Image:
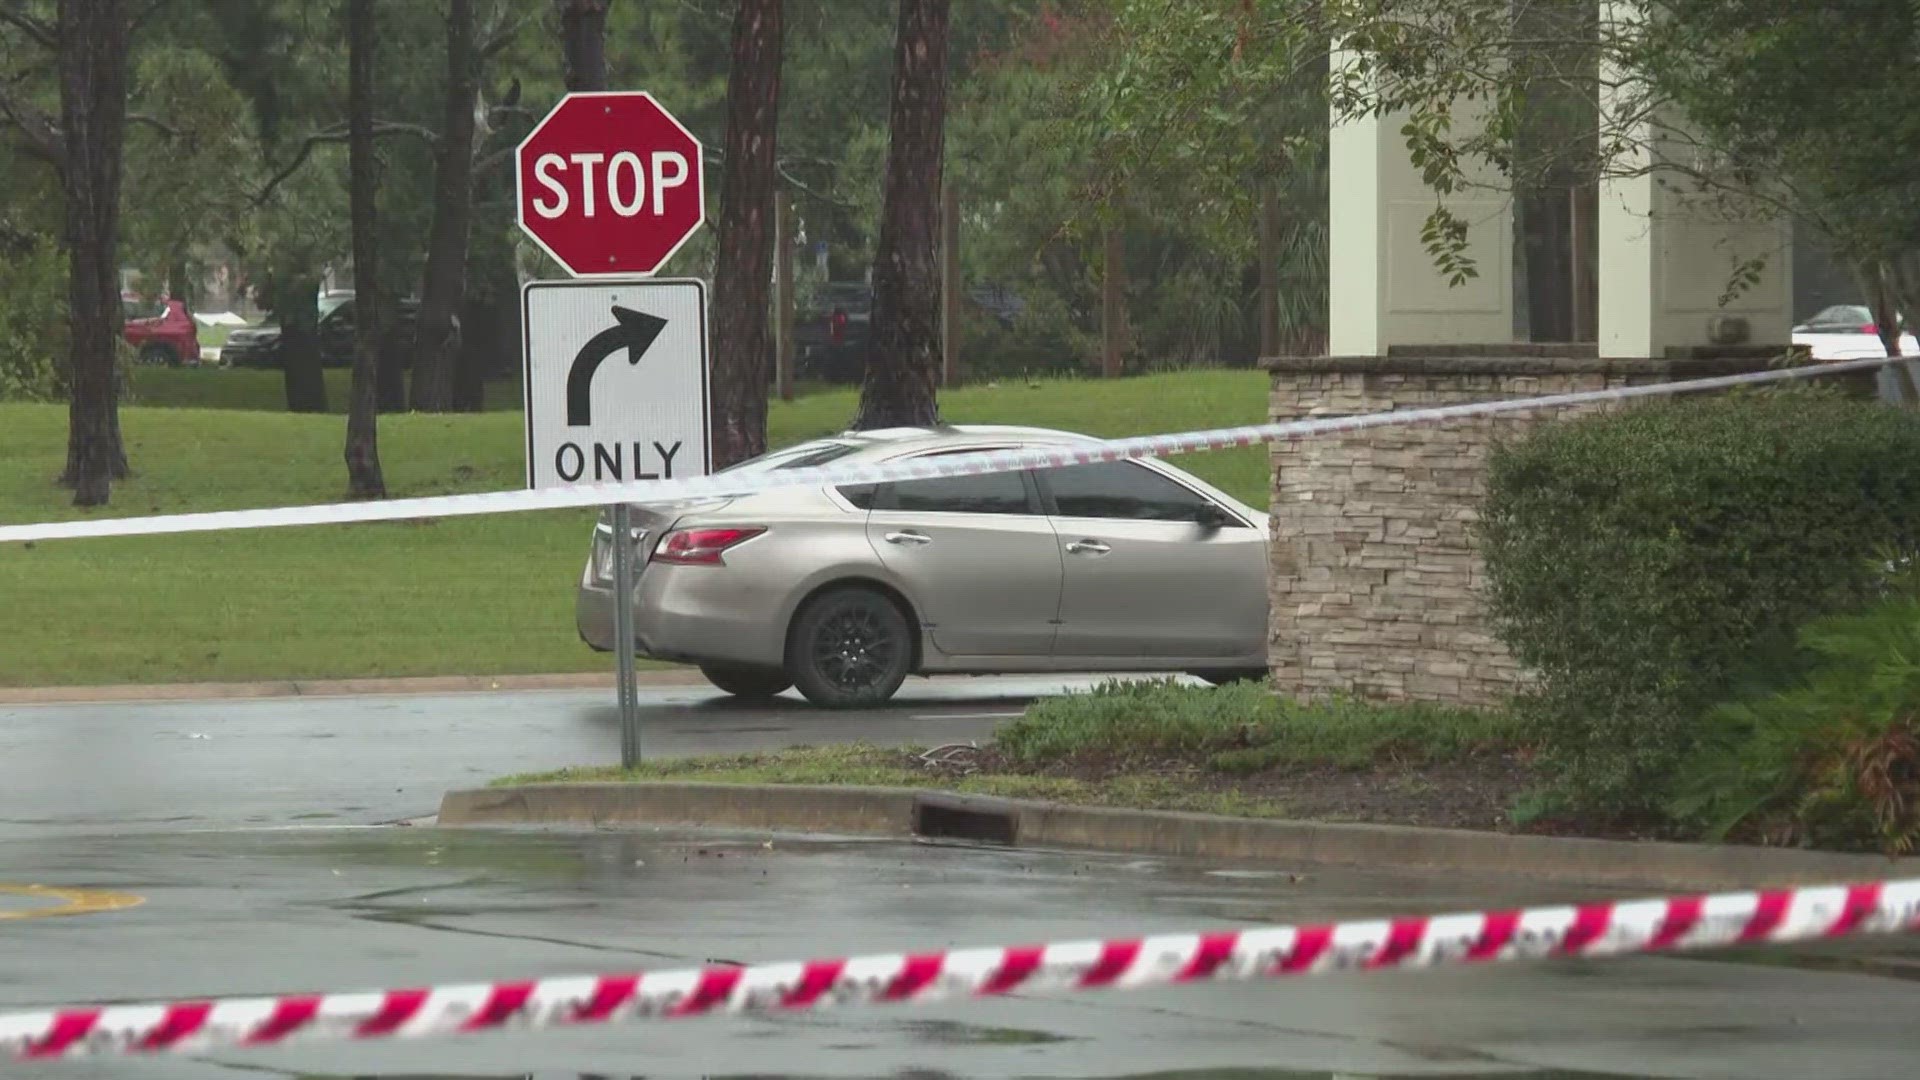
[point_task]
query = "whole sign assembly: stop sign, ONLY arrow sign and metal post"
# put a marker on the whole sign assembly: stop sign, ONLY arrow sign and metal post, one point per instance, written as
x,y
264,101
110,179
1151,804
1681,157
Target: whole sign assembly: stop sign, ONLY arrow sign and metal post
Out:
x,y
650,426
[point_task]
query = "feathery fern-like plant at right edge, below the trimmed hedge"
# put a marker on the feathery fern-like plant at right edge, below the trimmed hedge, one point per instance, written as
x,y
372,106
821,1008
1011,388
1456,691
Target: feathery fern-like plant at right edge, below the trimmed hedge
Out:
x,y
1831,762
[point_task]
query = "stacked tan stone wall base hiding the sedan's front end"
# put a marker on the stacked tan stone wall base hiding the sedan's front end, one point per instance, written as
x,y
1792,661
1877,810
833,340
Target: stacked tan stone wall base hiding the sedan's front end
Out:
x,y
1378,577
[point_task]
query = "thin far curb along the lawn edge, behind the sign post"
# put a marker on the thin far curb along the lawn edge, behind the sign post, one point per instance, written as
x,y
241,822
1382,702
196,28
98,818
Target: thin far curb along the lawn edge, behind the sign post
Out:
x,y
331,687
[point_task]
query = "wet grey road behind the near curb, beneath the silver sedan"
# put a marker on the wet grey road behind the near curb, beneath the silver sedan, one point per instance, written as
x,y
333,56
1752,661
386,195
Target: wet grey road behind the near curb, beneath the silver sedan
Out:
x,y
183,766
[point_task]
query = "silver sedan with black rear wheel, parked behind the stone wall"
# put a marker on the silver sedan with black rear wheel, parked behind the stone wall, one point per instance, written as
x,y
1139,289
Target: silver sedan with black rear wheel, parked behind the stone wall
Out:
x,y
844,593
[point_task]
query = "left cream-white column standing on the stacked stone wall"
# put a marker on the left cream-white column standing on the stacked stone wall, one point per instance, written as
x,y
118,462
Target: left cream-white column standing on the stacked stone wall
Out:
x,y
1381,283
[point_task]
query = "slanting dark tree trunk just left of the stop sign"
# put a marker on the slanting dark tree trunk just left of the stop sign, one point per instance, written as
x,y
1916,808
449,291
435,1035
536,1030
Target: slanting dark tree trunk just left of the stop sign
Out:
x,y
439,337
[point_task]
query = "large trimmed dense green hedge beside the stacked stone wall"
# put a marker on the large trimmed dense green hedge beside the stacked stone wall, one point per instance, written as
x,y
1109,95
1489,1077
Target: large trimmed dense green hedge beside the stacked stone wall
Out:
x,y
1644,562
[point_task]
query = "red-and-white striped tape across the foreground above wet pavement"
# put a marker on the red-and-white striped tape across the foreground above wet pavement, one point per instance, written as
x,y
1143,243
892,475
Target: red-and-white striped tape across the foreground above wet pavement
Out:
x,y
1489,937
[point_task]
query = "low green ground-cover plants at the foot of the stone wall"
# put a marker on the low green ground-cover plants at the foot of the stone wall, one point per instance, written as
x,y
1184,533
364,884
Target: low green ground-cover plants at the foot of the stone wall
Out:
x,y
1245,729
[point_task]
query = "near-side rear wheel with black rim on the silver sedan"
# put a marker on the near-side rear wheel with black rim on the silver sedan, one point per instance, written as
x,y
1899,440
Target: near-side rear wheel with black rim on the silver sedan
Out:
x,y
850,649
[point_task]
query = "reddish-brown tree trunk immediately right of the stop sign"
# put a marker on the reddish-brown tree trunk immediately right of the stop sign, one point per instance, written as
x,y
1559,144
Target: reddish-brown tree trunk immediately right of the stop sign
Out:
x,y
746,262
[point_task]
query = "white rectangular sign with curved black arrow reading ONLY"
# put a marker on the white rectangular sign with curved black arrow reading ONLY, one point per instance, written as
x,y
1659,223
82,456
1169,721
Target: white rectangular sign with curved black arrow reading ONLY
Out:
x,y
615,381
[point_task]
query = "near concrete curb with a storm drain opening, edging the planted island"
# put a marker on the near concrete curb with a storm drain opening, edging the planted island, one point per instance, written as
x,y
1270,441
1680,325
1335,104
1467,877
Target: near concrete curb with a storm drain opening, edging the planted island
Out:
x,y
1022,823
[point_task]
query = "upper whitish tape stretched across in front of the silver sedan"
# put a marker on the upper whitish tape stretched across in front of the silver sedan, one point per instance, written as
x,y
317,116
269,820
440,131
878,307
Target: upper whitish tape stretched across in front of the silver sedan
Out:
x,y
727,485
